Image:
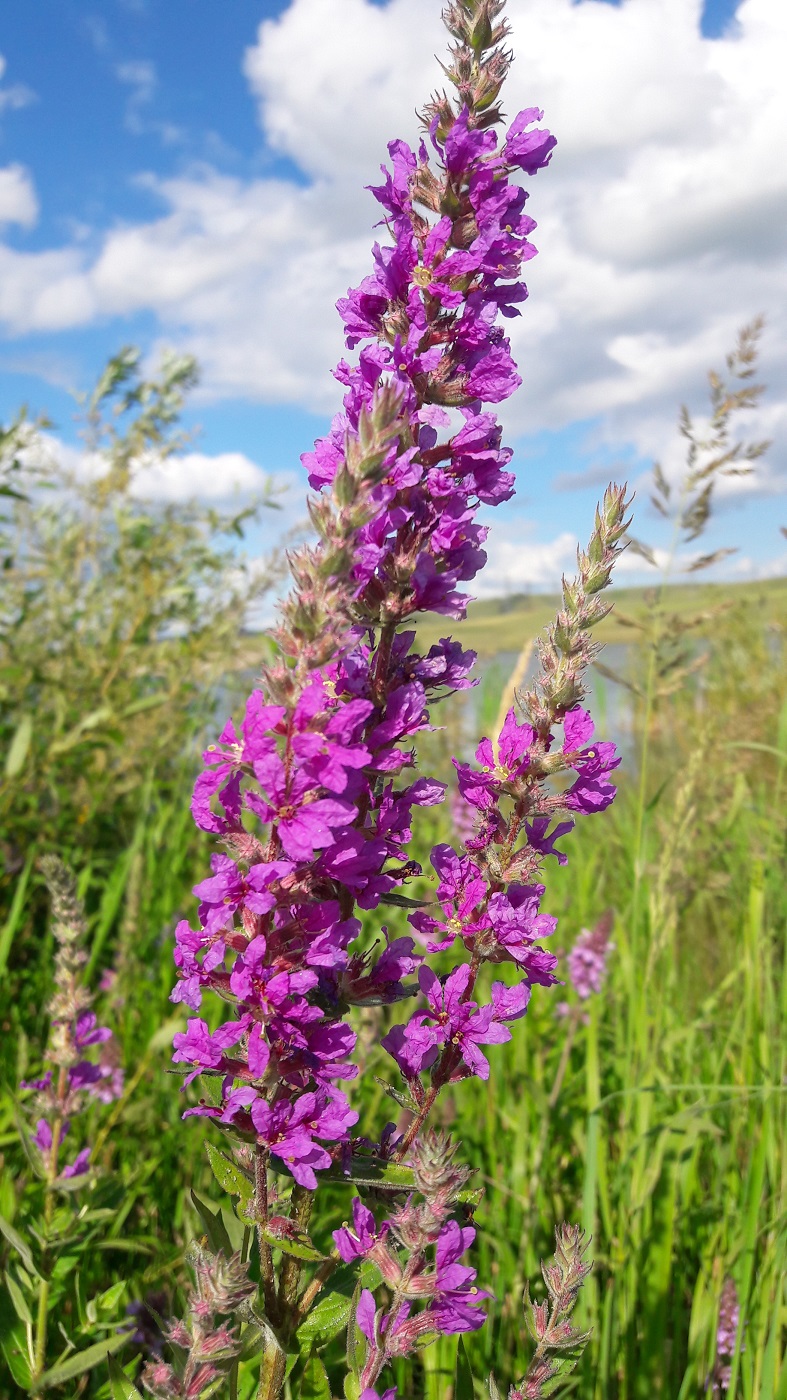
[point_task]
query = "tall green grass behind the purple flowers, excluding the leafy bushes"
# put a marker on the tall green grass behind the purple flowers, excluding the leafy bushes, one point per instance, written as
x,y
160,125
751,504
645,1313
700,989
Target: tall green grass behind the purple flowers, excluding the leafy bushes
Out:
x,y
667,1139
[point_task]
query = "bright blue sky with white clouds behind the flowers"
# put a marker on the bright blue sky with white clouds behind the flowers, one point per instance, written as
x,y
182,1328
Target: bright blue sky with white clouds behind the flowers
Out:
x,y
191,173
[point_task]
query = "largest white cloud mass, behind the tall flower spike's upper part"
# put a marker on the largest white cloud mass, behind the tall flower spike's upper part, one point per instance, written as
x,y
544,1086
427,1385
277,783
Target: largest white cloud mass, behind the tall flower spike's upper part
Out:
x,y
662,218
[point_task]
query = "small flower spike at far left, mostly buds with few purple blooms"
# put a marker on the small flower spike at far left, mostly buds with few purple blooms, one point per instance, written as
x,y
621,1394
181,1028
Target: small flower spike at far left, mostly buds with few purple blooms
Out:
x,y
74,1077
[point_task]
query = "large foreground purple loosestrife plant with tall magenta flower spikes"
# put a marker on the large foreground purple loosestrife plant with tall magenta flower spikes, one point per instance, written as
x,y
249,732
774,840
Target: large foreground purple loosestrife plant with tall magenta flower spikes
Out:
x,y
313,796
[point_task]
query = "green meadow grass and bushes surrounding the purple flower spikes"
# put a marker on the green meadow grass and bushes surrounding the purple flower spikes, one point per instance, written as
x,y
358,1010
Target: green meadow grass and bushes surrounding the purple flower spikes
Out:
x,y
652,1114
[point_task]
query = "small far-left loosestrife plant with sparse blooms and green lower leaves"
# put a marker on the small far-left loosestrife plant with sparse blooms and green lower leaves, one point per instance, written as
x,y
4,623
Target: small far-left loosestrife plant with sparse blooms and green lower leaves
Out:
x,y
53,1223
